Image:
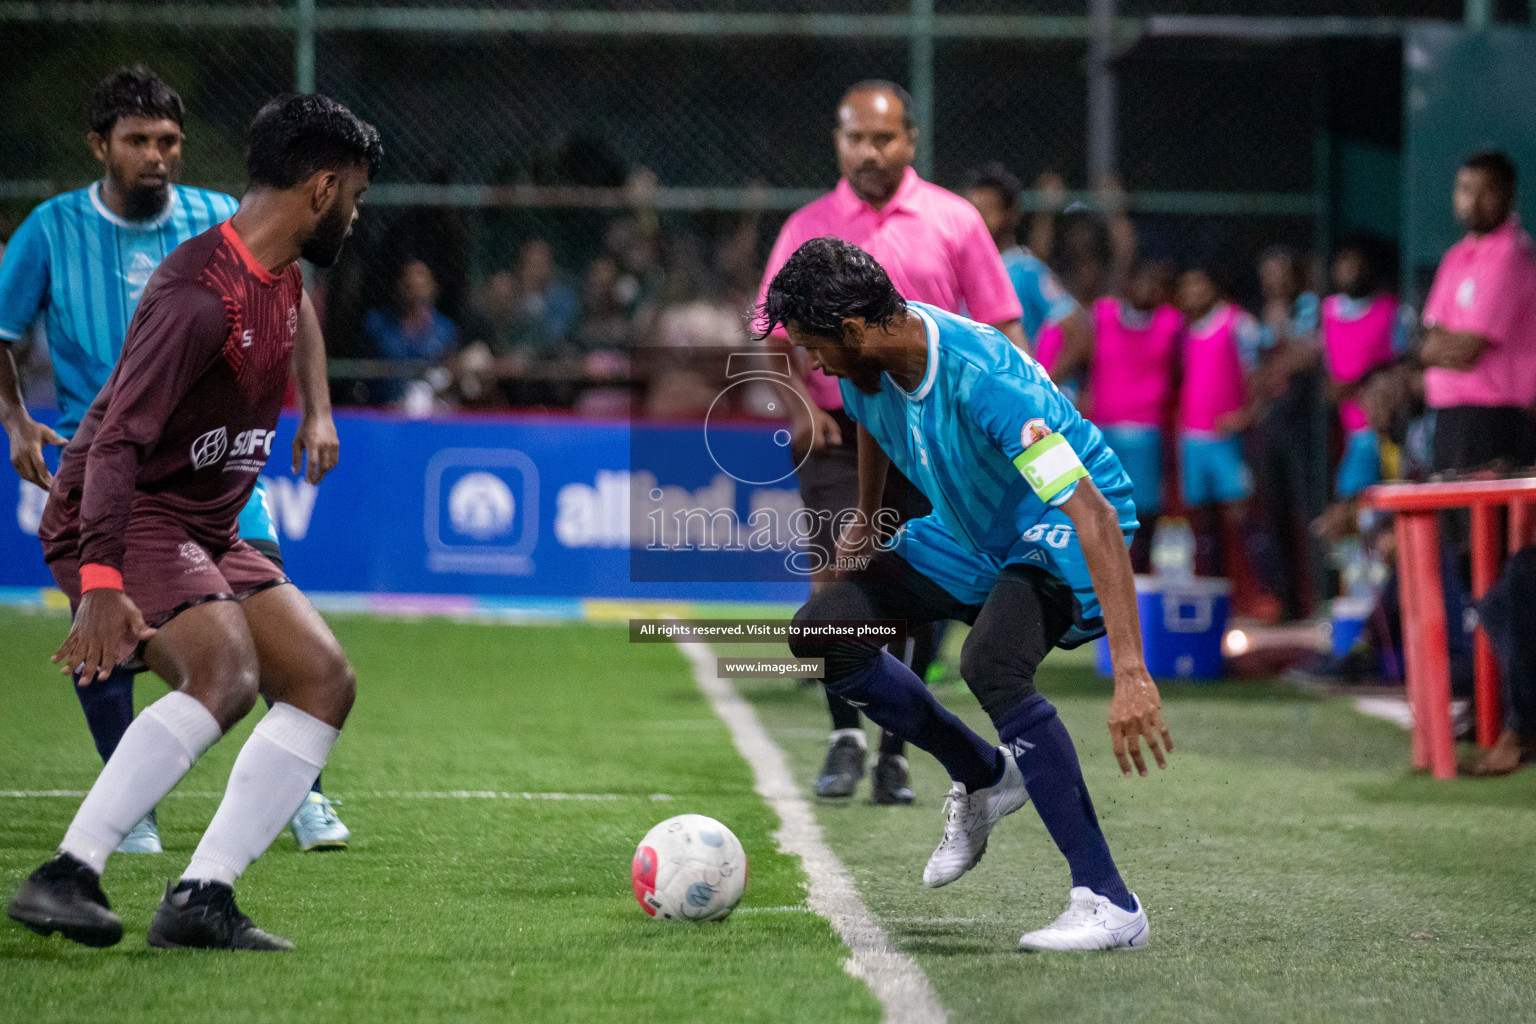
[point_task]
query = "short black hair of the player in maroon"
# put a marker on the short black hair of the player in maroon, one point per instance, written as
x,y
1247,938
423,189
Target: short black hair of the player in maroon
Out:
x,y
294,137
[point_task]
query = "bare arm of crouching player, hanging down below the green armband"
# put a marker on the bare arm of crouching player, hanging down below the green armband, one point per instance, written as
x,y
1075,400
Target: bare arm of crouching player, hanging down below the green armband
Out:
x,y
1136,713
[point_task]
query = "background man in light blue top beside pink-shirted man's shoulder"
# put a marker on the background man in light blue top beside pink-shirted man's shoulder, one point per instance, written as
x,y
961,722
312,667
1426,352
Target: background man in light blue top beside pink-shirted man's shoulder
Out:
x,y
1059,334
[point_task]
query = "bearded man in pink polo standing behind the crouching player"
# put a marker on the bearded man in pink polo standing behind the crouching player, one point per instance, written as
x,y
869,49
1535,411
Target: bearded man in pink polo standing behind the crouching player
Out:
x,y
936,249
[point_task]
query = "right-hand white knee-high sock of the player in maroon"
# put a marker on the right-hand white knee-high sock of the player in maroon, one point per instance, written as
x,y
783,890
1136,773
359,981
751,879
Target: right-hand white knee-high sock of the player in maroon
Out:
x,y
273,775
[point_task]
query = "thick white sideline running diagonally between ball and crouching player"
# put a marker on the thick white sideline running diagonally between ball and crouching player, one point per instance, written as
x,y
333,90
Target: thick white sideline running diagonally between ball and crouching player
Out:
x,y
895,977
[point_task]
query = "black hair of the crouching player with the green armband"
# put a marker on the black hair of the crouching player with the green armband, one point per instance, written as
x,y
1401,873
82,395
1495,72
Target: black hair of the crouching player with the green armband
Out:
x,y
823,285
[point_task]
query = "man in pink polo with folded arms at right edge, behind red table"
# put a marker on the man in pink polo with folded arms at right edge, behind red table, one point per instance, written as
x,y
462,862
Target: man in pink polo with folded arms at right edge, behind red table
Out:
x,y
1480,346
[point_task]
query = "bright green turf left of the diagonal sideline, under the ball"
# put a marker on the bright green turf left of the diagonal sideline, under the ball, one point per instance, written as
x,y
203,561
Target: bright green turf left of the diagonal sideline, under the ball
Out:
x,y
445,910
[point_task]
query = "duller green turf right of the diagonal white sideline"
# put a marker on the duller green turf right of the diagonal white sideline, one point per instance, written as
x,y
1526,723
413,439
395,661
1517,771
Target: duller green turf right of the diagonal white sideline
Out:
x,y
1293,867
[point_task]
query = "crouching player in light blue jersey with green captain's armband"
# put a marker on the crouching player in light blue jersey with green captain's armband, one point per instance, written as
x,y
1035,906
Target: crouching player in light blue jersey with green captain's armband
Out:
x,y
1027,543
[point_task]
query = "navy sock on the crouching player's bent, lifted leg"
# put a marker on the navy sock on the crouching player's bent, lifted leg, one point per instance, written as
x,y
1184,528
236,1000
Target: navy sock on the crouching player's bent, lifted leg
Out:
x,y
893,698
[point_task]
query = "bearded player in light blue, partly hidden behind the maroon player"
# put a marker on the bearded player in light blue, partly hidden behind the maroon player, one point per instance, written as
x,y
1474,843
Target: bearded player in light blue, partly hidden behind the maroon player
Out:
x,y
78,265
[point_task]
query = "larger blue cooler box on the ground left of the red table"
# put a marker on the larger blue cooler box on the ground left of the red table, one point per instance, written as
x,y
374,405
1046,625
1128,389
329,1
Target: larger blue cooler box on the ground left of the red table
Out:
x,y
1183,623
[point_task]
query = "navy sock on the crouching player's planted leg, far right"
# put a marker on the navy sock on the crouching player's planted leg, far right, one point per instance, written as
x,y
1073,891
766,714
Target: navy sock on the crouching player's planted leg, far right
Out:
x,y
1048,761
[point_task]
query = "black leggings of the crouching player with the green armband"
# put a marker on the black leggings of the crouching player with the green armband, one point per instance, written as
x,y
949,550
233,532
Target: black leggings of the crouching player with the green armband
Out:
x,y
1011,632
